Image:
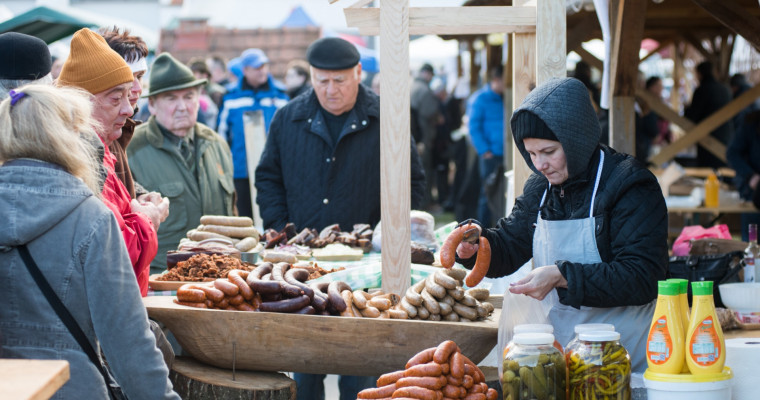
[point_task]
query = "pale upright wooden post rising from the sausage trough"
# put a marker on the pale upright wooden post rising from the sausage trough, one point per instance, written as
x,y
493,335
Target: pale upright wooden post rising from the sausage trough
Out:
x,y
395,181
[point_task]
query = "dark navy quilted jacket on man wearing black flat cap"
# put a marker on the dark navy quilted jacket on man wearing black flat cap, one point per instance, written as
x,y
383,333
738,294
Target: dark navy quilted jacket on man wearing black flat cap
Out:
x,y
305,179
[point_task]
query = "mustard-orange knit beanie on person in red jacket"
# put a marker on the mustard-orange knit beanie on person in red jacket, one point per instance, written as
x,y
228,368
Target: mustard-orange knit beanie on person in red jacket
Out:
x,y
92,65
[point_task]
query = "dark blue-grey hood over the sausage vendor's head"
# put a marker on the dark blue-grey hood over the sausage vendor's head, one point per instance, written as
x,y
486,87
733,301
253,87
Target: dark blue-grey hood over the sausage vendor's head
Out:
x,y
564,105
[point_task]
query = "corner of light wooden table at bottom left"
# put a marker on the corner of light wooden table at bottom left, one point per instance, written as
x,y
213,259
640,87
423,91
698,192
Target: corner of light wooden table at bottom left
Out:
x,y
31,379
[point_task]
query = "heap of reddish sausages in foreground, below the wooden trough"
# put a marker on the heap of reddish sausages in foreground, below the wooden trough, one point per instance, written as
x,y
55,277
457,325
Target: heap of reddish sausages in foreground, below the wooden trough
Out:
x,y
437,373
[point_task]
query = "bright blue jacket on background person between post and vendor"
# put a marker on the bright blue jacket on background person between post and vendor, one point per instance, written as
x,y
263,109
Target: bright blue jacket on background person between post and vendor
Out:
x,y
486,121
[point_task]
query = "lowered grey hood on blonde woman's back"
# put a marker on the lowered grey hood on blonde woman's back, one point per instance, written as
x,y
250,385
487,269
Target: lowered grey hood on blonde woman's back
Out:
x,y
34,197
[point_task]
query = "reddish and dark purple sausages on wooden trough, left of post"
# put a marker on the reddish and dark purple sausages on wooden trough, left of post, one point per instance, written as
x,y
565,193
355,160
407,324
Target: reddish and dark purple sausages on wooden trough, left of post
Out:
x,y
269,287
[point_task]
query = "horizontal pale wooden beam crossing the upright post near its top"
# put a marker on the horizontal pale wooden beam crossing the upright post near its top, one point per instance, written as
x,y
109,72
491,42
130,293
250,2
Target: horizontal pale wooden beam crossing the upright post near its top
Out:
x,y
449,20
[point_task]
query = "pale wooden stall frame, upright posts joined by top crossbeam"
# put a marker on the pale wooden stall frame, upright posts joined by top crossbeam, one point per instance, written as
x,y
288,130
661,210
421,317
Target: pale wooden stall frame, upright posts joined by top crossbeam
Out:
x,y
539,48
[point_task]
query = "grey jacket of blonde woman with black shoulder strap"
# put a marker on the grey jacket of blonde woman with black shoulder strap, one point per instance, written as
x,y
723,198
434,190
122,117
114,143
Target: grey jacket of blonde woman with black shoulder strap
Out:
x,y
76,242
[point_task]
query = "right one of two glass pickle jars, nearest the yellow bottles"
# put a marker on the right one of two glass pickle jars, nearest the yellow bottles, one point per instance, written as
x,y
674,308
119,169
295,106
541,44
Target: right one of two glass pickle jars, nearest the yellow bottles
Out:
x,y
599,367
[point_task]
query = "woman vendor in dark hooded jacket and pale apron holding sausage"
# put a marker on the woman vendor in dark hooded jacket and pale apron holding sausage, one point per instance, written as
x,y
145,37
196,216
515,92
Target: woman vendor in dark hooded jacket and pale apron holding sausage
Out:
x,y
593,220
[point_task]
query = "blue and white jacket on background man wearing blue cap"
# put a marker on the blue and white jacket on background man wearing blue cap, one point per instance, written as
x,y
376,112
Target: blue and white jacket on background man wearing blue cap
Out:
x,y
235,104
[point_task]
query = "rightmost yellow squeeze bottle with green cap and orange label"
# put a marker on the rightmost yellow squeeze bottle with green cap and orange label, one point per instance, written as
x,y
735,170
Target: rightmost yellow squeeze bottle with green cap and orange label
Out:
x,y
705,345
